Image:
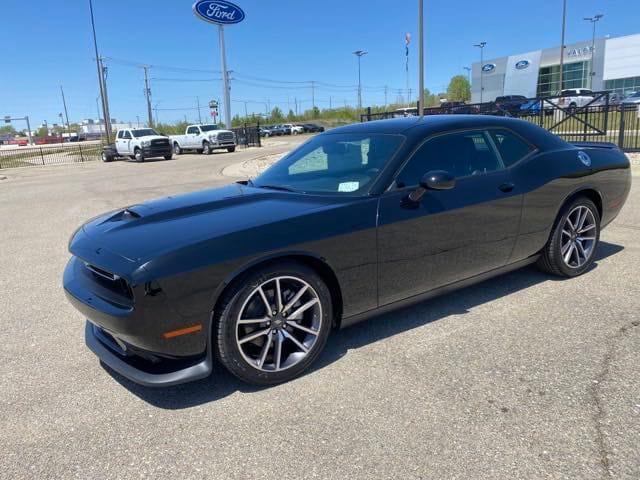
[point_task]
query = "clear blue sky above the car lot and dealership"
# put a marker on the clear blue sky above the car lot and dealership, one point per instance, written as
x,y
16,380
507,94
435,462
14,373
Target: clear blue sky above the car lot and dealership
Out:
x,y
45,44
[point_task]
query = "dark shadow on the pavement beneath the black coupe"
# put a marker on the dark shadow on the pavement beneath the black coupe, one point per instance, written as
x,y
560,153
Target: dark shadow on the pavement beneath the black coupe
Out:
x,y
221,383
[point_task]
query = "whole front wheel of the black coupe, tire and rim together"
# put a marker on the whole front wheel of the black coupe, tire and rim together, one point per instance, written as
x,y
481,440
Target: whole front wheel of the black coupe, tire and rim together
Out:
x,y
273,324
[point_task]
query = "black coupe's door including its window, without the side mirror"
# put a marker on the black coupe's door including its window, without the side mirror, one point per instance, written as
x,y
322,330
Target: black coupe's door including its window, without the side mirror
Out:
x,y
449,235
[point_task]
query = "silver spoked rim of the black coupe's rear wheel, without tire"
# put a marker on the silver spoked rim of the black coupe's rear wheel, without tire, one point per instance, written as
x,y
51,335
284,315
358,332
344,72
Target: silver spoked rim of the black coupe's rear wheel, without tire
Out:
x,y
578,237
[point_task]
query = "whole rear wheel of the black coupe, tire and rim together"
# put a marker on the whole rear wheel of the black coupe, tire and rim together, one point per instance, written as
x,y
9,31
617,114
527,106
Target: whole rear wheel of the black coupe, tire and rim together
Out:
x,y
571,247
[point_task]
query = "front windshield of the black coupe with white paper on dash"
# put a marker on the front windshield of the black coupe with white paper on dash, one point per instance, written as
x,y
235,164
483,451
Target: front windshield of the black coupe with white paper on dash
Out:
x,y
333,163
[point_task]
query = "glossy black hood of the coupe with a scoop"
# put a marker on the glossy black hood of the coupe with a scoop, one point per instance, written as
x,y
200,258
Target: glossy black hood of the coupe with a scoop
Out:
x,y
146,230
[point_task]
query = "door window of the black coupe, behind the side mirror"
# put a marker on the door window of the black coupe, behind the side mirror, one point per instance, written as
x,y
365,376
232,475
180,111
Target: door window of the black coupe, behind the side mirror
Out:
x,y
460,153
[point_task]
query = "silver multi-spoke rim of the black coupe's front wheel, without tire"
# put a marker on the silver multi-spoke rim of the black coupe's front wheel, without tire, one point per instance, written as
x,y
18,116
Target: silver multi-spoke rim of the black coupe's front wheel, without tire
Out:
x,y
279,323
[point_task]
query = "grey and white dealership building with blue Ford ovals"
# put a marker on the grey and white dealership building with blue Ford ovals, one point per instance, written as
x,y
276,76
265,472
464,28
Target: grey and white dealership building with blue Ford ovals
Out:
x,y
615,61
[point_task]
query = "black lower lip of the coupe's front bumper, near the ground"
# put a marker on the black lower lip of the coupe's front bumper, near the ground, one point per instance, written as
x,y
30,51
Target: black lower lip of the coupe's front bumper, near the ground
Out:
x,y
132,367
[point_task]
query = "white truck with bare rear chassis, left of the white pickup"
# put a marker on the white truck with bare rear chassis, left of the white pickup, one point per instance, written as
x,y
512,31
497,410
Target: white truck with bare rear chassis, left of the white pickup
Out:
x,y
142,143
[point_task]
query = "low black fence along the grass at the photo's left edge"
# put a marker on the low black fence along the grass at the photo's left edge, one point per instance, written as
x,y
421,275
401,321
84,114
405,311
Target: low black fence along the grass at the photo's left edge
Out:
x,y
16,156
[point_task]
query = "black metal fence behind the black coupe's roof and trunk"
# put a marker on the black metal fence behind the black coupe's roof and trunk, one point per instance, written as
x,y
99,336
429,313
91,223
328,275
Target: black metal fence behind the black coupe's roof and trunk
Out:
x,y
594,119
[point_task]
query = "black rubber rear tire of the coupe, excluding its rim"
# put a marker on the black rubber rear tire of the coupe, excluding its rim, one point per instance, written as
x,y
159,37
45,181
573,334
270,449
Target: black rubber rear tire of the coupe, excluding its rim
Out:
x,y
551,260
